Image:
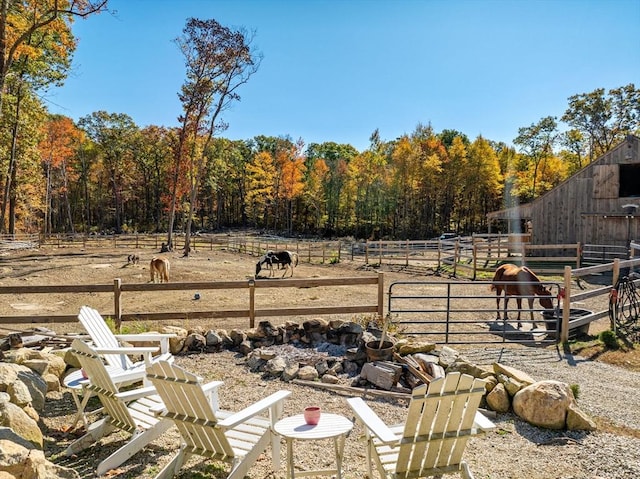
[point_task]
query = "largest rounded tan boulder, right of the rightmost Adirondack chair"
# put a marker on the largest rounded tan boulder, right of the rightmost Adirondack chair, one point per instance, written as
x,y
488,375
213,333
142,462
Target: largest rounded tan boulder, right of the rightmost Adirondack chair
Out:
x,y
544,404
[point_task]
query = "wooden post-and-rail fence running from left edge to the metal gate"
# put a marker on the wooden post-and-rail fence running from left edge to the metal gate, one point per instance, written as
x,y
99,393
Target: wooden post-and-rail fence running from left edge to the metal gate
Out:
x,y
252,311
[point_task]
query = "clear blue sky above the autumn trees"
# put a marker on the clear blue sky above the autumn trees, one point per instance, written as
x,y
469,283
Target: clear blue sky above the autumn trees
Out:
x,y
337,70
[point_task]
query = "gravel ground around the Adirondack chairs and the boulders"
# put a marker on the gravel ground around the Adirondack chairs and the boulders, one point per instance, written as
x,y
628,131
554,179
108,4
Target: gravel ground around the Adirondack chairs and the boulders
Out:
x,y
515,450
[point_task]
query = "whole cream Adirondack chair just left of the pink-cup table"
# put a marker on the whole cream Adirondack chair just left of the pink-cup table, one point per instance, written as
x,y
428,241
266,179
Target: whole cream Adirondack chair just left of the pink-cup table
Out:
x,y
236,438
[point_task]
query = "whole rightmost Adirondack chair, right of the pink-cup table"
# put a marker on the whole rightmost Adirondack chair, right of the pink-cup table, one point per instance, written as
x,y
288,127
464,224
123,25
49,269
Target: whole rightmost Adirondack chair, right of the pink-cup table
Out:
x,y
440,419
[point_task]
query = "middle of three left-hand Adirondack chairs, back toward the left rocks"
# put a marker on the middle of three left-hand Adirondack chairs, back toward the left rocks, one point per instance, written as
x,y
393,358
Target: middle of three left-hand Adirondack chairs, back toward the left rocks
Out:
x,y
127,411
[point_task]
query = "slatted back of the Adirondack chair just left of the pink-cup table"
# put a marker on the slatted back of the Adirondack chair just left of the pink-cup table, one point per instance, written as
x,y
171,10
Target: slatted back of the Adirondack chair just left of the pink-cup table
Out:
x,y
188,406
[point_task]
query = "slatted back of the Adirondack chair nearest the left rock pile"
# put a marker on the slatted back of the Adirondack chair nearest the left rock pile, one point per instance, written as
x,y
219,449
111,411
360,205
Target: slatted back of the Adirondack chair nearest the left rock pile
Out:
x,y
103,386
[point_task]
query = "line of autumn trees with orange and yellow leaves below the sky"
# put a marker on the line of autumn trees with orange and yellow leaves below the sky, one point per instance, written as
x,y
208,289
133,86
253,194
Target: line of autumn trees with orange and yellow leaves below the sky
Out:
x,y
105,173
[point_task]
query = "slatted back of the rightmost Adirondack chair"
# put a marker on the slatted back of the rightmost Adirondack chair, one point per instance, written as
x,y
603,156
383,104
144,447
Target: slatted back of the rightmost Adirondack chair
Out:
x,y
439,422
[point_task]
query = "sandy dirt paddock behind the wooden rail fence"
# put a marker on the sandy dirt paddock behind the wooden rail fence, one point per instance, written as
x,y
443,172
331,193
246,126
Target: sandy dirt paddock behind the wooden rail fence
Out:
x,y
67,266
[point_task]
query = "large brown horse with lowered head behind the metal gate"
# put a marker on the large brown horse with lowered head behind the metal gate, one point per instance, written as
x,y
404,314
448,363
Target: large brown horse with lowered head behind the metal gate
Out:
x,y
524,284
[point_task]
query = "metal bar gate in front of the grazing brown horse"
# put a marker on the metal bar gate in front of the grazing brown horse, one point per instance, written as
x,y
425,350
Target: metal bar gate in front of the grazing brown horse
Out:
x,y
455,312
